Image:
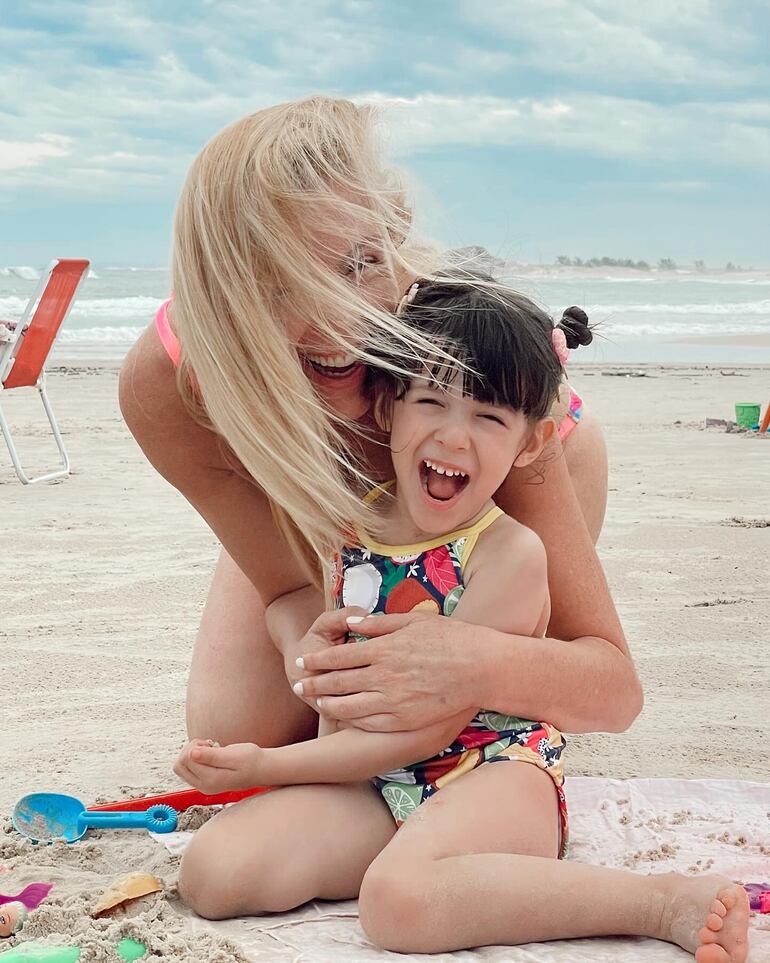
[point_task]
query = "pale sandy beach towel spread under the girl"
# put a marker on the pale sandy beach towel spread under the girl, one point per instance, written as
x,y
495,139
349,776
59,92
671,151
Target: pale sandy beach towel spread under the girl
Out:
x,y
648,825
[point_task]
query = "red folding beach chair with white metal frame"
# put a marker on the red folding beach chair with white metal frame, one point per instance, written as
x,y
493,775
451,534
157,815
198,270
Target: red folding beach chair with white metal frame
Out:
x,y
26,344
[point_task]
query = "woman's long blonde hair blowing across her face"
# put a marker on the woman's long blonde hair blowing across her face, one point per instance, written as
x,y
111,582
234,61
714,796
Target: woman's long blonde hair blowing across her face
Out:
x,y
250,210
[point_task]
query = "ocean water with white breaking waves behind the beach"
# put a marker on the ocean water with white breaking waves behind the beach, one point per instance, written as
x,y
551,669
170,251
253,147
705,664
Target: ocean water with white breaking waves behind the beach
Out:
x,y
641,318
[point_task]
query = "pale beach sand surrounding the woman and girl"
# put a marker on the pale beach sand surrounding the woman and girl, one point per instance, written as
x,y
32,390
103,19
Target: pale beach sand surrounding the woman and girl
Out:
x,y
105,574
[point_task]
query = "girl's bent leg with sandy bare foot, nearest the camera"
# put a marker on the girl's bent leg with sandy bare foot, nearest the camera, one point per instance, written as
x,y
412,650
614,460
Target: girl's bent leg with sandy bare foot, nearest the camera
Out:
x,y
475,865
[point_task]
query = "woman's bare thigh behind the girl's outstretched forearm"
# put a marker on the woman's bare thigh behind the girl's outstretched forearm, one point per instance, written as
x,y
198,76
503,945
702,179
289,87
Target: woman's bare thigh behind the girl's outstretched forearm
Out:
x,y
237,691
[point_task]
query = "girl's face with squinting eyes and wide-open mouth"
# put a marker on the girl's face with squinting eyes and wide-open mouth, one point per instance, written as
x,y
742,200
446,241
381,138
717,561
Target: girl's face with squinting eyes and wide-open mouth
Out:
x,y
451,453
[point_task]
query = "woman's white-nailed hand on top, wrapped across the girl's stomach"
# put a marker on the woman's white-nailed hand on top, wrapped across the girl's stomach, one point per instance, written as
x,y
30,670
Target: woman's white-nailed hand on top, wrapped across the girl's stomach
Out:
x,y
416,670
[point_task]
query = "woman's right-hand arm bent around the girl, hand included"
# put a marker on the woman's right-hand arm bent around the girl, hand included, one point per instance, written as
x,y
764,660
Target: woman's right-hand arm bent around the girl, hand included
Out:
x,y
581,678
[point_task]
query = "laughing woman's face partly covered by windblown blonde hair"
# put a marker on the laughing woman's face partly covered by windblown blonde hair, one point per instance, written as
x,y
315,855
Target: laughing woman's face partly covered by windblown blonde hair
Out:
x,y
365,262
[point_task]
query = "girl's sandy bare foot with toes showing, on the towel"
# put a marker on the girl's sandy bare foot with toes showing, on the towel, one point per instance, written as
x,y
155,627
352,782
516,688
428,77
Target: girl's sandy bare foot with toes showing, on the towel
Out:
x,y
707,915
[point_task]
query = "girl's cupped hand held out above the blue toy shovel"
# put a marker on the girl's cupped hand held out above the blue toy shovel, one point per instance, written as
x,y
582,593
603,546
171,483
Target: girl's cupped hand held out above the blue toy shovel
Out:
x,y
211,768
